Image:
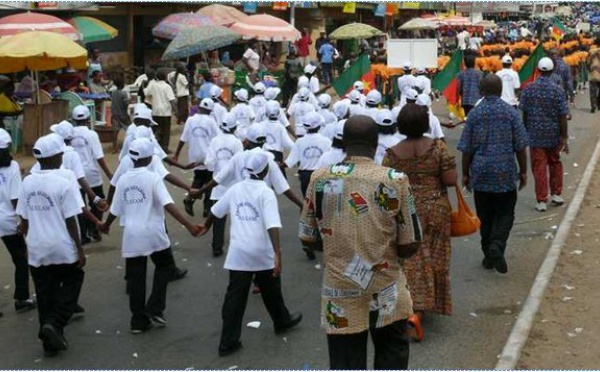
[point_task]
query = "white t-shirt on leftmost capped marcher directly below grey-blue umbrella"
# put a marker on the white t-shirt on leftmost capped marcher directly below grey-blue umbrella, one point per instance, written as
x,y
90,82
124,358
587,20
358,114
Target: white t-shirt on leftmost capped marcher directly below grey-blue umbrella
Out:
x,y
198,131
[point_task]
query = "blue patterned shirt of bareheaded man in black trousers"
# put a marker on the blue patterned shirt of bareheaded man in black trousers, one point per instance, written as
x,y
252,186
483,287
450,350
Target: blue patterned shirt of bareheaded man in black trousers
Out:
x,y
493,134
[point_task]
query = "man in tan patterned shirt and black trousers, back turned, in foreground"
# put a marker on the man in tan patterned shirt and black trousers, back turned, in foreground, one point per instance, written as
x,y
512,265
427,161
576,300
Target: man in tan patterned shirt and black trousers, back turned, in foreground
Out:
x,y
366,216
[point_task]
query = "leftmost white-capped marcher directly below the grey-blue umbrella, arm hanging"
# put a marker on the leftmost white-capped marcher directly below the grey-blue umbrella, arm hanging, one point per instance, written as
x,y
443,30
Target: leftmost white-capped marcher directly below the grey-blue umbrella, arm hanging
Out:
x,y
197,133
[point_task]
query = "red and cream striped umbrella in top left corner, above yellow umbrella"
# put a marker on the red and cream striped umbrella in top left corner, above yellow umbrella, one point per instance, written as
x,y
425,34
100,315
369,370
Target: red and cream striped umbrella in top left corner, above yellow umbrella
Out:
x,y
23,22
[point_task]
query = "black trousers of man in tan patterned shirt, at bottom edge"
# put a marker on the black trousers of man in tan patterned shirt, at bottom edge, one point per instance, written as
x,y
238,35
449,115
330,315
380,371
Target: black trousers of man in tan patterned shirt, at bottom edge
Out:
x,y
392,347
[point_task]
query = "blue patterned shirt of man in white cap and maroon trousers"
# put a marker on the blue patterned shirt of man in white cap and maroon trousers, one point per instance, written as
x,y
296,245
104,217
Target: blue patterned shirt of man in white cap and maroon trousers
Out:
x,y
543,102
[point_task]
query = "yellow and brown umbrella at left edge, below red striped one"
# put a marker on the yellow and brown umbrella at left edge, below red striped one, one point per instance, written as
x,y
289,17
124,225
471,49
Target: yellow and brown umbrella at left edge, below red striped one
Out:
x,y
40,51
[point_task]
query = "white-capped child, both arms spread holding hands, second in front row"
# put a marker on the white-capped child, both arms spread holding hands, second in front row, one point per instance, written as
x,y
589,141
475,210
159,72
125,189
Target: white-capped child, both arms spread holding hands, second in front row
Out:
x,y
141,198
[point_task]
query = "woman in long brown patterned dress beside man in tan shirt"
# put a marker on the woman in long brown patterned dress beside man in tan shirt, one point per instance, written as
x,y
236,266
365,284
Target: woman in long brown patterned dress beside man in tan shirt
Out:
x,y
430,169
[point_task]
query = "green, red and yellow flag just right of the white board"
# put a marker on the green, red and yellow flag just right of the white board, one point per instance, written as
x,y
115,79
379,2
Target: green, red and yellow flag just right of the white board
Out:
x,y
446,82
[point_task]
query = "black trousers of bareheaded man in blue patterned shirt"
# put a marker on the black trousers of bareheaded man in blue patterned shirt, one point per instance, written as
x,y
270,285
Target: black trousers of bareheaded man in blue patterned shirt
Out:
x,y
497,214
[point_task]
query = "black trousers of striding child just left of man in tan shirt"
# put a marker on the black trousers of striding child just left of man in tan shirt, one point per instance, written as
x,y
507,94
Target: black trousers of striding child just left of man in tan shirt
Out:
x,y
236,299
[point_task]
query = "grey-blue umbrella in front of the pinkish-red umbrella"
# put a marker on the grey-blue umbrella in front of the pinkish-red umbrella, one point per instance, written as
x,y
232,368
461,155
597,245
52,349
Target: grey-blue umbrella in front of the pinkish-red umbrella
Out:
x,y
191,41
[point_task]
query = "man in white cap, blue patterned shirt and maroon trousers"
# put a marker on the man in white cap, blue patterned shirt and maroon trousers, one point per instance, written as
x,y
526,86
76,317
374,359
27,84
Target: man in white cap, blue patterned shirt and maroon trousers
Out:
x,y
545,111
